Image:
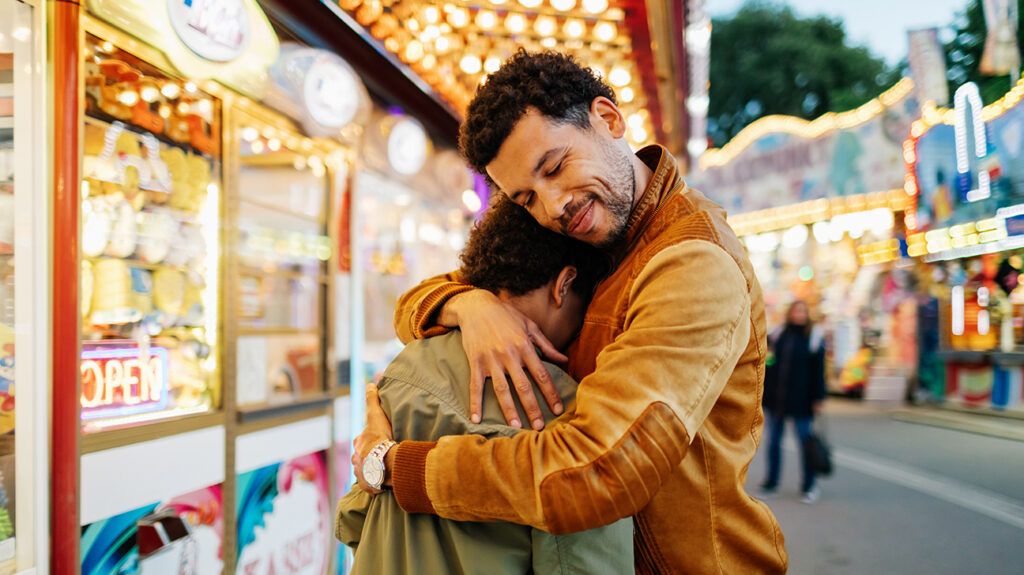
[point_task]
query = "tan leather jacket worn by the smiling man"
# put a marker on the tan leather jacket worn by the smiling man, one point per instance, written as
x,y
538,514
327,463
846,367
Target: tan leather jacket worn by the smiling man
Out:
x,y
668,416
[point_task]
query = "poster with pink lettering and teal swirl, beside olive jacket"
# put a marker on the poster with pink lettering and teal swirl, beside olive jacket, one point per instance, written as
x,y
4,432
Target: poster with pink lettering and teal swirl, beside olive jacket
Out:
x,y
284,518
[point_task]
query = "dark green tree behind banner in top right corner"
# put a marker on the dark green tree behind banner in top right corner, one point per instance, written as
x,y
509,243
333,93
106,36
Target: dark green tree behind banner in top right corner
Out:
x,y
965,50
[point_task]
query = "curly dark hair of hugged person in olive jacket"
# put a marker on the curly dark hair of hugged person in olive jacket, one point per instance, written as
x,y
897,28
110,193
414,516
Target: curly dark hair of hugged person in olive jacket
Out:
x,y
508,250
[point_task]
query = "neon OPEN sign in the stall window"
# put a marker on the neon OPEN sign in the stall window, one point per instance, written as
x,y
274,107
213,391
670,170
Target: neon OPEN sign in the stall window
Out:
x,y
121,382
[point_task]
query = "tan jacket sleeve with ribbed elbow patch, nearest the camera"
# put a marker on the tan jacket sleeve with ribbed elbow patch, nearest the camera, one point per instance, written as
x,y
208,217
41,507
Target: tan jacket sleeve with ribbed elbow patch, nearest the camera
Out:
x,y
688,325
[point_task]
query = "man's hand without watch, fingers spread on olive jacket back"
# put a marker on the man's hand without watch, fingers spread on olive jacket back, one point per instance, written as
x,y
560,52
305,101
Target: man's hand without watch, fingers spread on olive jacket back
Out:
x,y
500,340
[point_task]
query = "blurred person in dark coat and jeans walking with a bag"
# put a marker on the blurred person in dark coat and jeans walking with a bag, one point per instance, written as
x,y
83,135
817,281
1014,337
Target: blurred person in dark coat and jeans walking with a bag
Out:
x,y
795,388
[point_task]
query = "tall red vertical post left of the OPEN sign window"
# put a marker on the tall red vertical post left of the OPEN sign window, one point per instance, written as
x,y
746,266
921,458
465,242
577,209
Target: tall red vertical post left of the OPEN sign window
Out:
x,y
65,533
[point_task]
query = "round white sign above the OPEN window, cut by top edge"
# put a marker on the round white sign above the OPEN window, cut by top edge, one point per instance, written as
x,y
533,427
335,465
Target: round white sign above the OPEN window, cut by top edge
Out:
x,y
217,30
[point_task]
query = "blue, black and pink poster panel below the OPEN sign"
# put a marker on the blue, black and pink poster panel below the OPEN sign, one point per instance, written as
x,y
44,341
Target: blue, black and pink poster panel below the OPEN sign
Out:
x,y
110,547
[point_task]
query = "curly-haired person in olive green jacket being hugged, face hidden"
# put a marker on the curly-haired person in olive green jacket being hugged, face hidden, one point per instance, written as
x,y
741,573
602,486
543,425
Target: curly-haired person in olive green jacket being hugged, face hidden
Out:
x,y
549,279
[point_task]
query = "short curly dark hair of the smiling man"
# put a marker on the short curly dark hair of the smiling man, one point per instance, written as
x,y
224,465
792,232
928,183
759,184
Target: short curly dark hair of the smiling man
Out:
x,y
556,84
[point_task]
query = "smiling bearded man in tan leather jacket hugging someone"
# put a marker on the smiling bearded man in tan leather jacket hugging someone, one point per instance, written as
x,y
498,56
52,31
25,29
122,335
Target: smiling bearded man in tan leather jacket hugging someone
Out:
x,y
670,360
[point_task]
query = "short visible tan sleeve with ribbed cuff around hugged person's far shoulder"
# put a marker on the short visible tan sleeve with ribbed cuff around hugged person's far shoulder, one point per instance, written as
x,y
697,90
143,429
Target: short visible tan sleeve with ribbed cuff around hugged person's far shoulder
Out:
x,y
416,315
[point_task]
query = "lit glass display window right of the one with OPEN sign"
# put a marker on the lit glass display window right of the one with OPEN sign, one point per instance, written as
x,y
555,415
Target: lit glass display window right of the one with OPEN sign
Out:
x,y
282,249
